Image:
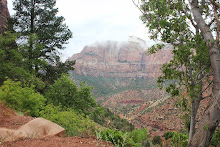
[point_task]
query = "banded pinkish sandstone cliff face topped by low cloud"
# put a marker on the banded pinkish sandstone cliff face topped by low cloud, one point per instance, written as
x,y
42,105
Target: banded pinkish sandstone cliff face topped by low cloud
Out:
x,y
114,59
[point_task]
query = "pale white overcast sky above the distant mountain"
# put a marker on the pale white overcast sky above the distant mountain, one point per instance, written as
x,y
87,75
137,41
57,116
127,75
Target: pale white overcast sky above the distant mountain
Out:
x,y
98,20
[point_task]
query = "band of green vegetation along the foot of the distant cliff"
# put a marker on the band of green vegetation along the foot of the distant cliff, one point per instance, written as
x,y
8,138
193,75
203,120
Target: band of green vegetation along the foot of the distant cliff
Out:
x,y
104,86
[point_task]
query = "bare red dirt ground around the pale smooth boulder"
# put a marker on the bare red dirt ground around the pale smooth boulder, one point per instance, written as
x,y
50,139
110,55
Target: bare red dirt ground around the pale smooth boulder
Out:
x,y
10,119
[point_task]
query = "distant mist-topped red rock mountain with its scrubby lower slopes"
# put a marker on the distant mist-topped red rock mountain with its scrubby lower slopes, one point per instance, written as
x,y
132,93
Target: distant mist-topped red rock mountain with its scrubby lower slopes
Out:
x,y
124,78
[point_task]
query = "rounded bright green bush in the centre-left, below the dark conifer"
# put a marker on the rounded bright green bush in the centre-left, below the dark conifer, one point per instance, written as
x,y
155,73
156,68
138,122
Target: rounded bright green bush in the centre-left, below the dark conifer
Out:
x,y
65,92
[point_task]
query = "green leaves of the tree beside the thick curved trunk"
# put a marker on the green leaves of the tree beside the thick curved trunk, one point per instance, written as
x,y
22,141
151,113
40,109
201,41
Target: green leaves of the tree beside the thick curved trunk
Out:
x,y
190,69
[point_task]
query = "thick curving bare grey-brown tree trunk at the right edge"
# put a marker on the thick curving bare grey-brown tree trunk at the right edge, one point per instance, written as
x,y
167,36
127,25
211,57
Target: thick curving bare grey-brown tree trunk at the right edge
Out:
x,y
211,117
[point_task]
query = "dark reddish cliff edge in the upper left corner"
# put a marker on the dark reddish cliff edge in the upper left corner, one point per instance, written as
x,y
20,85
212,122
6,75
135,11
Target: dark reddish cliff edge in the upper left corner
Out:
x,y
4,13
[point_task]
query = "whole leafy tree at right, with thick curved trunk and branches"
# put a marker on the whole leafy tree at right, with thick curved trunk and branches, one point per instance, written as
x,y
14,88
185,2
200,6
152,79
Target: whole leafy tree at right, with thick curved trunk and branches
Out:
x,y
182,23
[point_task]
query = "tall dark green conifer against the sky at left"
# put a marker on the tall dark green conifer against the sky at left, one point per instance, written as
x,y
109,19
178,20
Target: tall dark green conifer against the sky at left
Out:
x,y
41,32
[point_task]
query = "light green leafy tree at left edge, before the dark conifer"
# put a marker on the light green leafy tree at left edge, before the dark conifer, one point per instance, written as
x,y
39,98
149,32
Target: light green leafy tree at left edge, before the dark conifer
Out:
x,y
12,64
